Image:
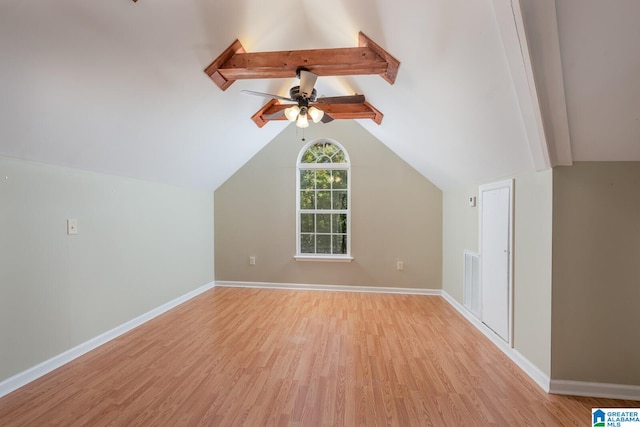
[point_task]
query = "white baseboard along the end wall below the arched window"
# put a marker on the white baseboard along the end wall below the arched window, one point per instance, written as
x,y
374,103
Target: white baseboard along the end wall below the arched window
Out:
x,y
335,288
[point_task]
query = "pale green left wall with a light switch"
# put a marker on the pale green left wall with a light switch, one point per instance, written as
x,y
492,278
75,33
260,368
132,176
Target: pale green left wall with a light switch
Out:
x,y
139,246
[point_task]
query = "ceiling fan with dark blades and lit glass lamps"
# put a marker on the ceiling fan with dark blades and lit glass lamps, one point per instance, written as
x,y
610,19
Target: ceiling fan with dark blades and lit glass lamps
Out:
x,y
305,101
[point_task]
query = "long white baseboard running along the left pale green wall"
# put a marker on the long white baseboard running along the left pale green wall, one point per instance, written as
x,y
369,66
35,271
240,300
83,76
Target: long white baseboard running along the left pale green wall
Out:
x,y
15,382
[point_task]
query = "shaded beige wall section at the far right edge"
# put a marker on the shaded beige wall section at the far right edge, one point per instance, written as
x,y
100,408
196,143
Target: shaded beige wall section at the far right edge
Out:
x,y
596,273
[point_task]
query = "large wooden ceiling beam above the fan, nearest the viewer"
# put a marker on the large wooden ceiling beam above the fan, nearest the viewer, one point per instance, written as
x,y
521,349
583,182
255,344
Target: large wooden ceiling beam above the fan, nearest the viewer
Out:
x,y
368,58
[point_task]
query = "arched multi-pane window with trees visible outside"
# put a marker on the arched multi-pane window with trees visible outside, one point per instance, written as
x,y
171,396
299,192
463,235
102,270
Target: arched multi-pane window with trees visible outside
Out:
x,y
323,201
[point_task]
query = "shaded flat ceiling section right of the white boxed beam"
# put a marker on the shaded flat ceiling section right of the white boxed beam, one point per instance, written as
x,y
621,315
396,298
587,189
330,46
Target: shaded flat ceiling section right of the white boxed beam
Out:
x,y
600,42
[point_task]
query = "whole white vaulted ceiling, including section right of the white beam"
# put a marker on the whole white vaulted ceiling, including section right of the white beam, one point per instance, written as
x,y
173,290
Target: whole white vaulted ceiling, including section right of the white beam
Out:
x,y
118,87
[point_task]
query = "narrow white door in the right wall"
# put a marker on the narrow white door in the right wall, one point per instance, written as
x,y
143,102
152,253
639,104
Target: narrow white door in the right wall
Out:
x,y
495,257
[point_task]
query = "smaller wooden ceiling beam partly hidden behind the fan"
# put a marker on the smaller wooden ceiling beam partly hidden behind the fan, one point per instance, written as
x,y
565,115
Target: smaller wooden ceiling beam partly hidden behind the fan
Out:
x,y
336,111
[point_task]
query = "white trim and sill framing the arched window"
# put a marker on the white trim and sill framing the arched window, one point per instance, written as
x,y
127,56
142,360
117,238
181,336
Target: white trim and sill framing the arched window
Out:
x,y
309,166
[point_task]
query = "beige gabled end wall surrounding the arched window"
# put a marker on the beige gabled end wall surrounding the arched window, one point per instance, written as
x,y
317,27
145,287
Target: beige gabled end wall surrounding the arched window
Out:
x,y
396,216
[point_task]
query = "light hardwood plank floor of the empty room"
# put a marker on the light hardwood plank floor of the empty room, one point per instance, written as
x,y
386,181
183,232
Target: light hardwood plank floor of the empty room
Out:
x,y
255,357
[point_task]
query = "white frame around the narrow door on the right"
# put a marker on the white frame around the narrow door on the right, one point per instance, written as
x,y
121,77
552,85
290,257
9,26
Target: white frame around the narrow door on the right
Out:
x,y
509,184
